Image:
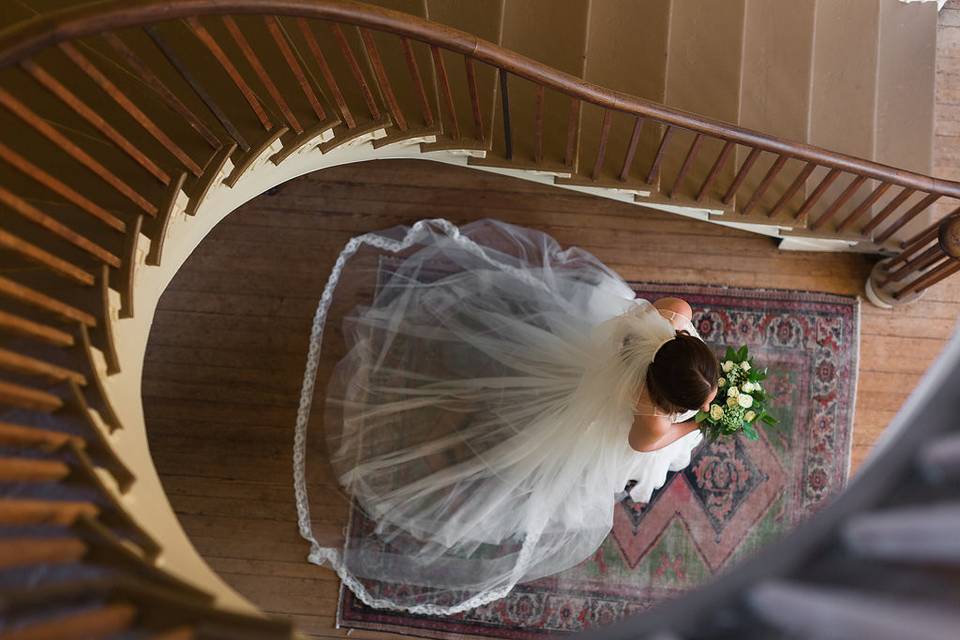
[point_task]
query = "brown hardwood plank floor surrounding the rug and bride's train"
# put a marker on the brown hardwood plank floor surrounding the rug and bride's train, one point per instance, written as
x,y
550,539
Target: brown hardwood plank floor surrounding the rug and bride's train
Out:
x,y
226,355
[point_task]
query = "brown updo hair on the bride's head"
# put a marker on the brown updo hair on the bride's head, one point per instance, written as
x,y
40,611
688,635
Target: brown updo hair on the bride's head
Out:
x,y
683,374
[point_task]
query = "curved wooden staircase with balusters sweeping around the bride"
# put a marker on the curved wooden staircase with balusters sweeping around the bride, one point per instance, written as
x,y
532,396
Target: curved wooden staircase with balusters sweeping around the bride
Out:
x,y
130,129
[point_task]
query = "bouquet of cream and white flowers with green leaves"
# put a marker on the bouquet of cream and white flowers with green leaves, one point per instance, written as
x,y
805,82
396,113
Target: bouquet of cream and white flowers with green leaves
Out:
x,y
741,402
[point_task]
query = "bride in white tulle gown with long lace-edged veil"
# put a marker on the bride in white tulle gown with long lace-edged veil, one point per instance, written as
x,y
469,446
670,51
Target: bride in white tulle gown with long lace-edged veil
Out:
x,y
497,396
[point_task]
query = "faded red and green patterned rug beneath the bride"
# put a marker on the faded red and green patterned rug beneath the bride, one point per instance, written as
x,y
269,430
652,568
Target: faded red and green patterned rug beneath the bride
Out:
x,y
733,498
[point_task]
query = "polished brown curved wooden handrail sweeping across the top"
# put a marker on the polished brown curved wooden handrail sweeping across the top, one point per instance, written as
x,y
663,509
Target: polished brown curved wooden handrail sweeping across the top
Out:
x,y
20,41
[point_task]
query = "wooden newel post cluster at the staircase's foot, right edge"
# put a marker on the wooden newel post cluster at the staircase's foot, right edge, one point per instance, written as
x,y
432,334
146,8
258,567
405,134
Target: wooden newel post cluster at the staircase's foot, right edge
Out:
x,y
903,278
